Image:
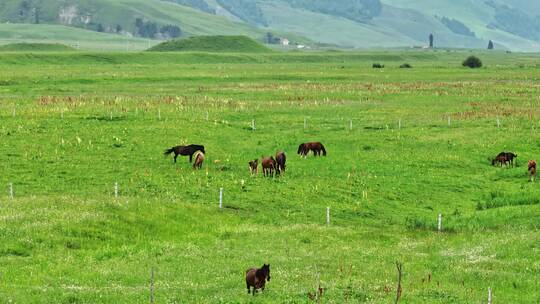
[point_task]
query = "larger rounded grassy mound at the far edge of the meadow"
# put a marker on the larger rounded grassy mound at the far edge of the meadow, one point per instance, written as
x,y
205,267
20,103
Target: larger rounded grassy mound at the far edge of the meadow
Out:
x,y
233,44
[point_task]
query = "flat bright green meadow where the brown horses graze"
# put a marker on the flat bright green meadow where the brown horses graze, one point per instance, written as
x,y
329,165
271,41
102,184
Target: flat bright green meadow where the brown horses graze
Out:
x,y
74,124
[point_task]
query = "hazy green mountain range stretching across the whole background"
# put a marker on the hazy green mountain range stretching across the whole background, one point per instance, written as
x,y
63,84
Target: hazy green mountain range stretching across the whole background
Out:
x,y
511,24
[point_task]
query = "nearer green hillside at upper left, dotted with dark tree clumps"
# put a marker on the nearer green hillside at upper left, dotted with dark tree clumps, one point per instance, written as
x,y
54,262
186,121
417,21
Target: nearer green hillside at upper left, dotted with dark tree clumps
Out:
x,y
120,16
